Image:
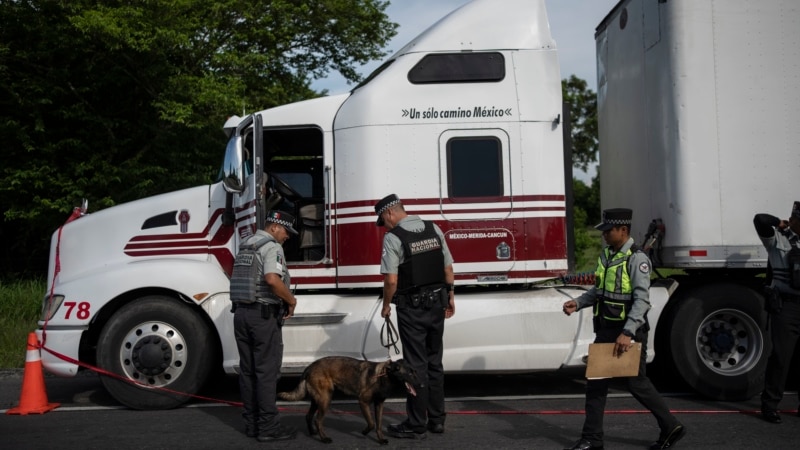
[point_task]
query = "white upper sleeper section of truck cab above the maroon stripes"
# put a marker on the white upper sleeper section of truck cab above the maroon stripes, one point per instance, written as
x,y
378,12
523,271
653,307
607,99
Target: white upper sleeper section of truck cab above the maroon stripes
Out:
x,y
390,127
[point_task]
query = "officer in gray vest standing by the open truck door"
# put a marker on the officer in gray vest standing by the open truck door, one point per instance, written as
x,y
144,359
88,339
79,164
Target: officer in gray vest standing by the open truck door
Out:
x,y
261,301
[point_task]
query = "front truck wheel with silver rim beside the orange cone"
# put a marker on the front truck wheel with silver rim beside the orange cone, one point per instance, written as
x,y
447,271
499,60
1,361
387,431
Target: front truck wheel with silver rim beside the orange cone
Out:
x,y
158,343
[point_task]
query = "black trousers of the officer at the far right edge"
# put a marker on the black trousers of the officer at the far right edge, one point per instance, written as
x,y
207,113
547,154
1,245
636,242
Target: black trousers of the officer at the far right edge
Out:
x,y
784,330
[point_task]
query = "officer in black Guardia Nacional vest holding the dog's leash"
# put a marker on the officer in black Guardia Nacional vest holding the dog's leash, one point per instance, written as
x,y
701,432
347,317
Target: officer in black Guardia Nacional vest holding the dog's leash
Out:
x,y
418,279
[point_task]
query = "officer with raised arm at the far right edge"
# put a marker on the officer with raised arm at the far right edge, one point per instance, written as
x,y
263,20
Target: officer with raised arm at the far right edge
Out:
x,y
780,237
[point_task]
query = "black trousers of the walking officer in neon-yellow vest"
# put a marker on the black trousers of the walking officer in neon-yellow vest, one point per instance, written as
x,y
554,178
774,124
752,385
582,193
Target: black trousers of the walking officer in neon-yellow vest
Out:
x,y
639,386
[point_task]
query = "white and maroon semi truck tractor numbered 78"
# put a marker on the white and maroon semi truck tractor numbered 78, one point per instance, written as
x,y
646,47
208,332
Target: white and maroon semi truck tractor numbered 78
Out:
x,y
464,123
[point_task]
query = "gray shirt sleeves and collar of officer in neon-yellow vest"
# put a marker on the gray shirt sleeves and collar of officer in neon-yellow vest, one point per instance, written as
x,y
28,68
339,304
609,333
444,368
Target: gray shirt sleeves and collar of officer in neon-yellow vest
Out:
x,y
639,266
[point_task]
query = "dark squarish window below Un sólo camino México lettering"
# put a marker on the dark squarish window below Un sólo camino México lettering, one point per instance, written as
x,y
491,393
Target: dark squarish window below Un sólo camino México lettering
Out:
x,y
474,168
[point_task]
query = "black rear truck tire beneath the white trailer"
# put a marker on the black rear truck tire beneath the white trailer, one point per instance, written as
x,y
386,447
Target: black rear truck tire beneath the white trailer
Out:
x,y
718,341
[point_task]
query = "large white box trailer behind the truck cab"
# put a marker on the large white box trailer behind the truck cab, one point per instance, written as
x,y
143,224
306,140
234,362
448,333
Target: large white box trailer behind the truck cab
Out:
x,y
697,103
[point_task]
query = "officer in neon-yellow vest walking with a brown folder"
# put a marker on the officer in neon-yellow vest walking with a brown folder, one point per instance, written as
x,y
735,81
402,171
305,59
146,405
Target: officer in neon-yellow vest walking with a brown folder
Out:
x,y
620,300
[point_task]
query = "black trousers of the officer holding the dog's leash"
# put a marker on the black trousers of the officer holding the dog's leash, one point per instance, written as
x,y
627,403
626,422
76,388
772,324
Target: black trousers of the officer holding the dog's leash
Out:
x,y
421,333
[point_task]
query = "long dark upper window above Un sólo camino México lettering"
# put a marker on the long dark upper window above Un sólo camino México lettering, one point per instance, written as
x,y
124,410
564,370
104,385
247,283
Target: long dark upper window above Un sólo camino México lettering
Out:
x,y
459,68
